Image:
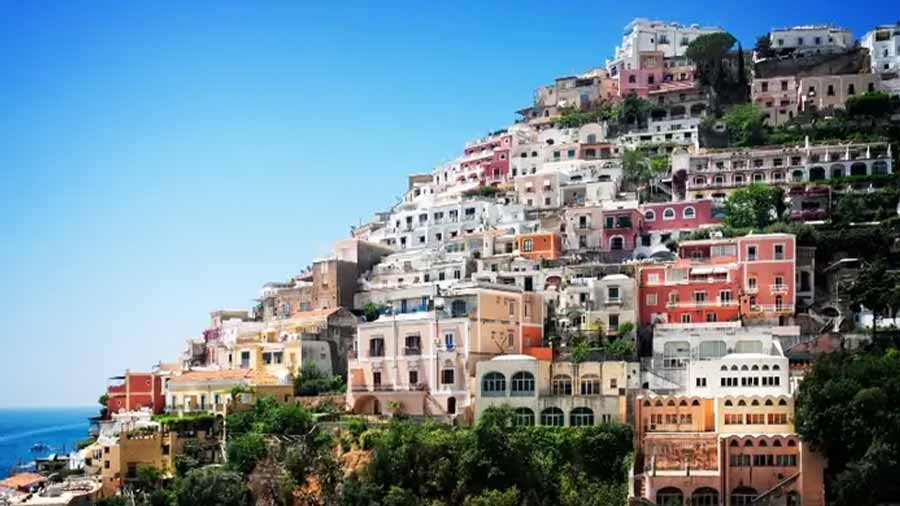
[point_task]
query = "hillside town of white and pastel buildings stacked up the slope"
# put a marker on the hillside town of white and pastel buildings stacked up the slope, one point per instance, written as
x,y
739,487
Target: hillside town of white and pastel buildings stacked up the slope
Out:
x,y
669,241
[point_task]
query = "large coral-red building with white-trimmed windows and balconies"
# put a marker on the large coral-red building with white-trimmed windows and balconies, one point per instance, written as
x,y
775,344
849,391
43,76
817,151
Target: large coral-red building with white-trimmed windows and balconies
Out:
x,y
721,280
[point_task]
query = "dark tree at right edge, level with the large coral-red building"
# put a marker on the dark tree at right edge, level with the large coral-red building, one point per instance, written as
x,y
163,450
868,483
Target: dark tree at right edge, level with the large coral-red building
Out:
x,y
877,290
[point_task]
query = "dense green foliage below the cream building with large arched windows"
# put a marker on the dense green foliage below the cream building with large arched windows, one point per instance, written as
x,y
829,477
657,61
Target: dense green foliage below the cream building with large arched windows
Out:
x,y
493,463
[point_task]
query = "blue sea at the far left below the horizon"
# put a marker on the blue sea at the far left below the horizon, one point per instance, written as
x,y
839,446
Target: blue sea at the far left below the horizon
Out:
x,y
57,428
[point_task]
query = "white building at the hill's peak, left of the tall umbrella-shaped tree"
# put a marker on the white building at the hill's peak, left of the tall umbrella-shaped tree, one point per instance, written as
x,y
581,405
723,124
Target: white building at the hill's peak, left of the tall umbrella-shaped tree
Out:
x,y
642,34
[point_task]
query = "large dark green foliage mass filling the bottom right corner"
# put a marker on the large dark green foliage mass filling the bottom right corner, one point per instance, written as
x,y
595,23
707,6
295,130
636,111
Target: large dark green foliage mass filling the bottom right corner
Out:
x,y
848,407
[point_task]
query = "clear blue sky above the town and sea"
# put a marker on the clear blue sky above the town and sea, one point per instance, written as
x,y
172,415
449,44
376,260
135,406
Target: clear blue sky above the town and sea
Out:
x,y
163,159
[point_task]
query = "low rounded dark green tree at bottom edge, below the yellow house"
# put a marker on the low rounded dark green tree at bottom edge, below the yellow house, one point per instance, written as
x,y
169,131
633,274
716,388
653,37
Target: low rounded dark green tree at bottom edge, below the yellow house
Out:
x,y
211,486
